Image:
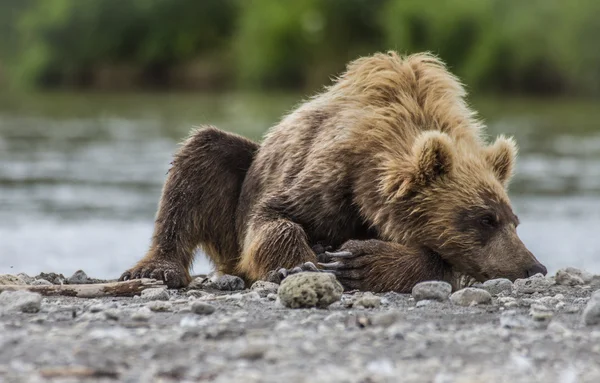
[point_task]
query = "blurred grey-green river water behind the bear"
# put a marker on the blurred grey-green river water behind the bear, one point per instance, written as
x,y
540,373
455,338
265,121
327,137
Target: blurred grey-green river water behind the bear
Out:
x,y
81,174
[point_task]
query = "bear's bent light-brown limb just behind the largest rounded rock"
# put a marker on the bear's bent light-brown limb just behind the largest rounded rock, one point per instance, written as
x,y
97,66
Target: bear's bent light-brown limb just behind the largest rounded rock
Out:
x,y
271,245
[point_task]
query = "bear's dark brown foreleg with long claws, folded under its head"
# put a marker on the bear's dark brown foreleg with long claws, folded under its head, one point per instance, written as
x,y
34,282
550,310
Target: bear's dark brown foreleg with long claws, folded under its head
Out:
x,y
380,266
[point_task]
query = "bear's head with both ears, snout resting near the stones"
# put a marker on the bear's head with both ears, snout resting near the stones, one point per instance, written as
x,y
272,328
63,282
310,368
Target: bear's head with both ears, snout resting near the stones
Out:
x,y
451,199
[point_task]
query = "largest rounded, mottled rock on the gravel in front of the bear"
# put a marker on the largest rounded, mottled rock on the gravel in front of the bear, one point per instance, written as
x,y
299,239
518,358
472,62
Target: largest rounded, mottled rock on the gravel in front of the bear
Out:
x,y
309,289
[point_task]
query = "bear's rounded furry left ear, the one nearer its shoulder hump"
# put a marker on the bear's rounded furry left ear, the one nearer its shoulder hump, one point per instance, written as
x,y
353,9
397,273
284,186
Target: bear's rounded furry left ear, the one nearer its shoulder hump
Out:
x,y
433,156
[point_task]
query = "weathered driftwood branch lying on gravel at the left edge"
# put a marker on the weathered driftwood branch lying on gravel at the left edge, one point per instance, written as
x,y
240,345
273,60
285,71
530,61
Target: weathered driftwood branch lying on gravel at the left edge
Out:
x,y
111,289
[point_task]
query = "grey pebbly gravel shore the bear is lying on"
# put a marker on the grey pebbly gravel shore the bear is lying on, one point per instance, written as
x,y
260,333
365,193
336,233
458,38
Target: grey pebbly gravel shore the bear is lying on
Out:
x,y
543,329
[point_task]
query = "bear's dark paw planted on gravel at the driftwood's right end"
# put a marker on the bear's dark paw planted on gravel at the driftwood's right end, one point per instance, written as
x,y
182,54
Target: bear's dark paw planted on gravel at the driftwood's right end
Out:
x,y
171,273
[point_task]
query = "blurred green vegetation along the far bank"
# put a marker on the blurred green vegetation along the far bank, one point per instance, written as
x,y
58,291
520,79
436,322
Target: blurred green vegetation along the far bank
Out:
x,y
501,46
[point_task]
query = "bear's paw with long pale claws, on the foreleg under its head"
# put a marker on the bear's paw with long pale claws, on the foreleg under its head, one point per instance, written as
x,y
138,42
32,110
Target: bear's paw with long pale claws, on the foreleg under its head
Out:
x,y
350,268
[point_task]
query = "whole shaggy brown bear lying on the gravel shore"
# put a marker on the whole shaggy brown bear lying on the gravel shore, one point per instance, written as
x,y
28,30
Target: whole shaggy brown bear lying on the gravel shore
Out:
x,y
387,166
